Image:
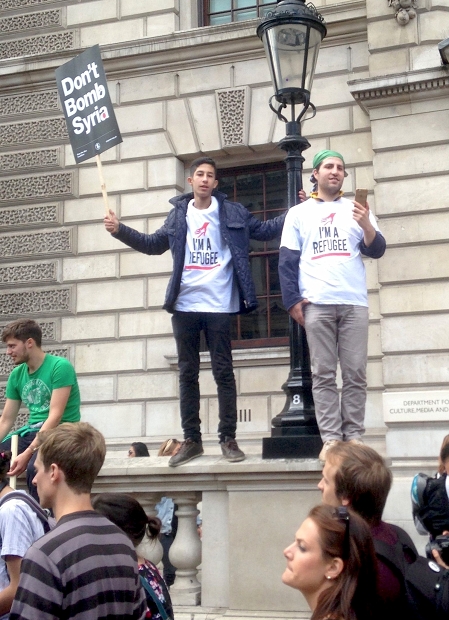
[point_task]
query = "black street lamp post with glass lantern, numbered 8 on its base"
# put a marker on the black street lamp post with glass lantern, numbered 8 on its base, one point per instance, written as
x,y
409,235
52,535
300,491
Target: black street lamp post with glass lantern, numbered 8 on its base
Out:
x,y
292,34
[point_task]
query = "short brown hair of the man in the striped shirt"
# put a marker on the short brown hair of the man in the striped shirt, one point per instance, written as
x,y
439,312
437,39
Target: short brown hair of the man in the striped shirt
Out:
x,y
78,449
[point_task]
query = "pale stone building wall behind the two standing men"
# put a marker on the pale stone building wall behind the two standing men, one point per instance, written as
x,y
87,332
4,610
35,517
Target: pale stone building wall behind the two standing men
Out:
x,y
181,90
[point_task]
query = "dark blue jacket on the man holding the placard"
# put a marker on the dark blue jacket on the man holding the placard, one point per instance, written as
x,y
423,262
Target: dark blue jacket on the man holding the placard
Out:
x,y
237,226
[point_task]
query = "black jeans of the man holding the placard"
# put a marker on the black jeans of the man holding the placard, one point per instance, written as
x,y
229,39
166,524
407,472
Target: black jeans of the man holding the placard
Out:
x,y
187,327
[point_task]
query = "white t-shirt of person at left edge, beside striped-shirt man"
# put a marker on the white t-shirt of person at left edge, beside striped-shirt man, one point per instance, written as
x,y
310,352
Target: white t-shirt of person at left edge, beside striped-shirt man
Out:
x,y
20,527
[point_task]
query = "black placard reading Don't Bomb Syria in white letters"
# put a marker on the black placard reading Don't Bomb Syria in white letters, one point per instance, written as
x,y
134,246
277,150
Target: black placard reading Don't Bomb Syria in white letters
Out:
x,y
87,106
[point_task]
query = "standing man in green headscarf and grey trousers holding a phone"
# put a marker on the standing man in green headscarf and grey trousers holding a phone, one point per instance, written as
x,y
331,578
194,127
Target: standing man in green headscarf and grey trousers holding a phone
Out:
x,y
324,289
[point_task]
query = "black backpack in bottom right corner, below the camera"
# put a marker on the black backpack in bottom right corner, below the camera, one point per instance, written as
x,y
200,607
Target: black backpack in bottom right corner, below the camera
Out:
x,y
425,584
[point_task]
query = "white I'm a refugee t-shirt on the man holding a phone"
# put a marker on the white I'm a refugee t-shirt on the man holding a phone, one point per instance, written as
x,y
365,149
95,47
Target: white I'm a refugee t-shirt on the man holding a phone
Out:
x,y
331,266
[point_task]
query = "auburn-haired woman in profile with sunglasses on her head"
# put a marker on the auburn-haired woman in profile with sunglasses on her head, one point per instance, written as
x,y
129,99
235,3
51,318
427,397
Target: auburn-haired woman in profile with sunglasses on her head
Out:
x,y
333,564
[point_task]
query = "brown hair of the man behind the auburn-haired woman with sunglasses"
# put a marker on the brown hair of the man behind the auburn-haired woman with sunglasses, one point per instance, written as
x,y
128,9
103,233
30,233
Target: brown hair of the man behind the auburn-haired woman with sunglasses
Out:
x,y
362,478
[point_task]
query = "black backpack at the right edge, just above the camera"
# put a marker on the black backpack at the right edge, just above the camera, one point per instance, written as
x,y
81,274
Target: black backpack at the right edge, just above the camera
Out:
x,y
430,503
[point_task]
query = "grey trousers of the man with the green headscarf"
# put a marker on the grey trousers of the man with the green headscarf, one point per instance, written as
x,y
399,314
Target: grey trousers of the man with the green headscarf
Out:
x,y
338,332
